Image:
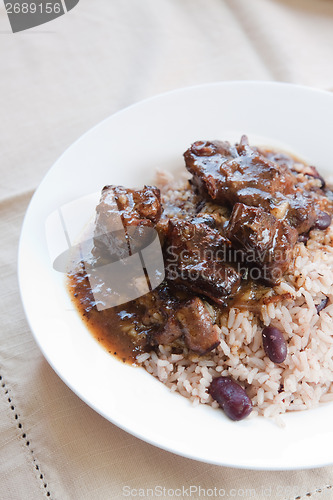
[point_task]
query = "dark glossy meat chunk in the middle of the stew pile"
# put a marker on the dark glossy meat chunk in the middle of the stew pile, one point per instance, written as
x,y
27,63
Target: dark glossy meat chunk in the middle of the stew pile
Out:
x,y
194,257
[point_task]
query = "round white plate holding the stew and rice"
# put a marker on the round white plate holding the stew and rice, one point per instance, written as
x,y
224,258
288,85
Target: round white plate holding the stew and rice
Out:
x,y
126,148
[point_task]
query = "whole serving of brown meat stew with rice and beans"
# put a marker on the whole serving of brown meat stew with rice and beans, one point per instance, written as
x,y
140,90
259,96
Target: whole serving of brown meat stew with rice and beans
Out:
x,y
243,317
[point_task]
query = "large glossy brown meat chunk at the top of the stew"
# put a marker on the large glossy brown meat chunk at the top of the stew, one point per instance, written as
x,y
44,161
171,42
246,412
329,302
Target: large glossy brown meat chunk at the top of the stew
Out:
x,y
228,174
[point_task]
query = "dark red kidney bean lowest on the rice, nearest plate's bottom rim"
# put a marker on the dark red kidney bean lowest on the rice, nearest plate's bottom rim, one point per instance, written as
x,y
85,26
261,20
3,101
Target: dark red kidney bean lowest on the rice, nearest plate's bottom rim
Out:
x,y
231,397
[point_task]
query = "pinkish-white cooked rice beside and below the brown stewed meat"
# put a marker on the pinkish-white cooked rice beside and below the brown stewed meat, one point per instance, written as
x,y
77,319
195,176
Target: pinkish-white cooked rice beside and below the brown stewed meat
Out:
x,y
305,378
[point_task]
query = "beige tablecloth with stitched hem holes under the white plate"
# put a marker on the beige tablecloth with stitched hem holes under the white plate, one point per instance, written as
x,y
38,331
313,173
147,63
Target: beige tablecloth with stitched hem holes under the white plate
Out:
x,y
56,82
